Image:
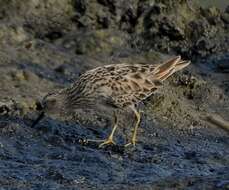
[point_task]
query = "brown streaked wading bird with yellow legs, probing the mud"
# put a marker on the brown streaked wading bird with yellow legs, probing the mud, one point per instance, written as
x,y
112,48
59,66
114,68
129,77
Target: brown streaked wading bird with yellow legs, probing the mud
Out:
x,y
117,86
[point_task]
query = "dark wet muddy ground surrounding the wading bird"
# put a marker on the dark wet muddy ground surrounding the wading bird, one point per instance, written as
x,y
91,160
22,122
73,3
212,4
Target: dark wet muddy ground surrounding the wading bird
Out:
x,y
45,45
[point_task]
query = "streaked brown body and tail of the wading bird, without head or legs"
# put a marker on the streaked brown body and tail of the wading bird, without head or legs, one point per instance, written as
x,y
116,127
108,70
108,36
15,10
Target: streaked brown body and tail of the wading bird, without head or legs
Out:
x,y
123,84
